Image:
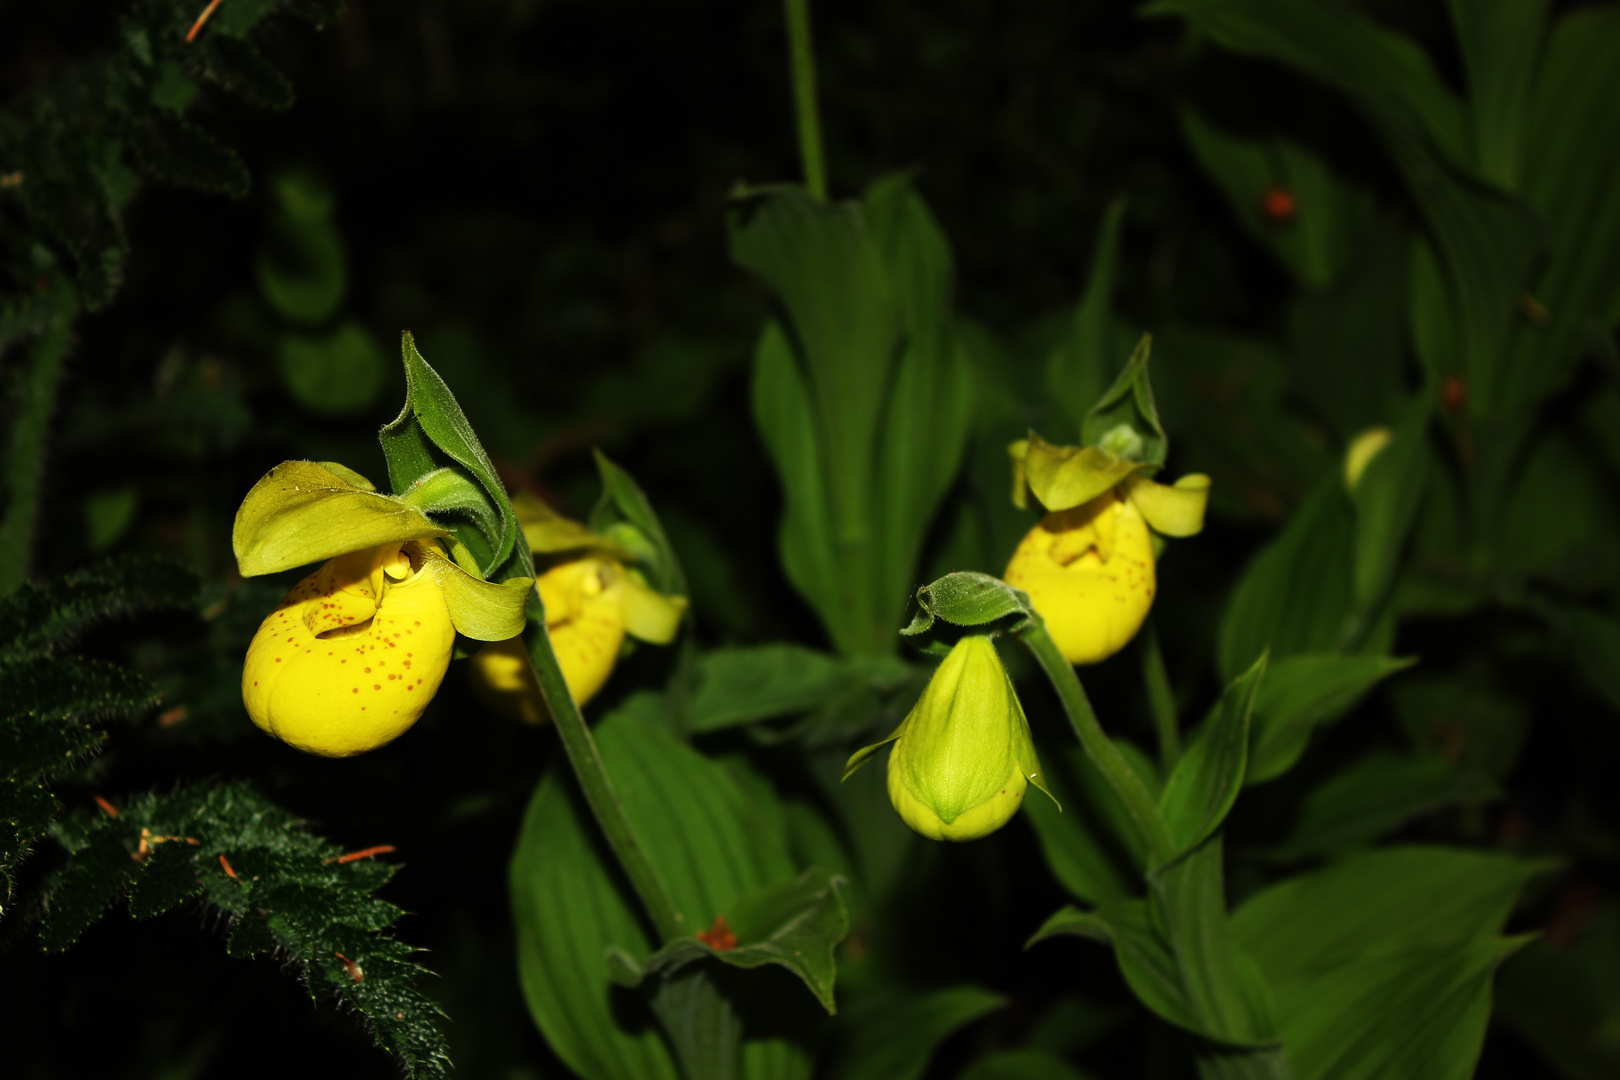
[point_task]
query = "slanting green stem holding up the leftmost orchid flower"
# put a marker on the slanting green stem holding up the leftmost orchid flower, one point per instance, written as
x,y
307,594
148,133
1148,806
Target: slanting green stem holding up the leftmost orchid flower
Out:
x,y
594,781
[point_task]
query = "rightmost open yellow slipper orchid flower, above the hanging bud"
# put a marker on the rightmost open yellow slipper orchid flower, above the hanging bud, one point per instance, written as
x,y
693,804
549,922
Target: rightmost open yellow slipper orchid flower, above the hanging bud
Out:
x,y
1089,564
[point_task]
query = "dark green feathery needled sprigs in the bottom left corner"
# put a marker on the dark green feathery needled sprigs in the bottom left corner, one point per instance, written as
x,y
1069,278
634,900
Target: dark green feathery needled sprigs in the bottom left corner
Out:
x,y
286,891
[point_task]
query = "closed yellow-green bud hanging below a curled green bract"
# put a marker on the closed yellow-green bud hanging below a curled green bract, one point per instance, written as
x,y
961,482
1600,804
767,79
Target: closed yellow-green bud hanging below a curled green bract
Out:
x,y
963,757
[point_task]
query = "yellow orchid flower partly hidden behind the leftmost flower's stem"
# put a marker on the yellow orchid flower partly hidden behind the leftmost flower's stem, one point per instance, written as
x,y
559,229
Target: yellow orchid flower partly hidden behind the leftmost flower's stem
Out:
x,y
592,603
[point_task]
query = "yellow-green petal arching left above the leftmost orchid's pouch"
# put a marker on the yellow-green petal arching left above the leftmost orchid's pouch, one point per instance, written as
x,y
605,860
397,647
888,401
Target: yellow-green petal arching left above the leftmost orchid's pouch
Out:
x,y
304,512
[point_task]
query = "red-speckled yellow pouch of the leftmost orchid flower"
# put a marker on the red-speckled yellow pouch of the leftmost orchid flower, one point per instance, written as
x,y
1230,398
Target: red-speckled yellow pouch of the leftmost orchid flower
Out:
x,y
352,657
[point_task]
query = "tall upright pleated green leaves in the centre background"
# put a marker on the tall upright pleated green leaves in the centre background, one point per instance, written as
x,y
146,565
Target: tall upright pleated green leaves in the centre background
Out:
x,y
864,394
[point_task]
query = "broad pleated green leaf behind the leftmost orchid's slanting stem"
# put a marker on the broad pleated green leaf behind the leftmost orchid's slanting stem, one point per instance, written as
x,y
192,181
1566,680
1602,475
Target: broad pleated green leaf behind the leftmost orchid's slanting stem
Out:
x,y
712,844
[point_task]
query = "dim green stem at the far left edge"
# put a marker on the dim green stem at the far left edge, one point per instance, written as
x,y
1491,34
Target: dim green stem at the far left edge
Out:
x,y
25,461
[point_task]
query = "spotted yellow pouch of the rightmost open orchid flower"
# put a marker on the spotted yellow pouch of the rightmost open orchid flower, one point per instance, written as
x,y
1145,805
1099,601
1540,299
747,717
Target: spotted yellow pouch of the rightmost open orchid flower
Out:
x,y
1089,572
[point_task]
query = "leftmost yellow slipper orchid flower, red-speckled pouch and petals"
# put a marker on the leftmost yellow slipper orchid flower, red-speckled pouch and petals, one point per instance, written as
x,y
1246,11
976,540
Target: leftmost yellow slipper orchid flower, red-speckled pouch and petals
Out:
x,y
352,657
